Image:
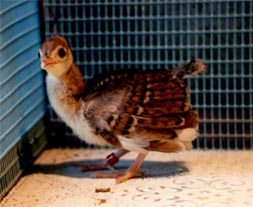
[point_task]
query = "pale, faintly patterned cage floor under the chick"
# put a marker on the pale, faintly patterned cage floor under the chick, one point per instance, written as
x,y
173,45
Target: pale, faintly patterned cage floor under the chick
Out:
x,y
196,178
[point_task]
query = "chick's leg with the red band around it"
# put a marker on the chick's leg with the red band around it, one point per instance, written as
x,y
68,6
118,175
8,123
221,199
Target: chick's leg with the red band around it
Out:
x,y
108,163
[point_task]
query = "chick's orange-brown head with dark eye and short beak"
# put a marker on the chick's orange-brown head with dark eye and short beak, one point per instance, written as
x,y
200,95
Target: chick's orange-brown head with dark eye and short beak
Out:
x,y
55,56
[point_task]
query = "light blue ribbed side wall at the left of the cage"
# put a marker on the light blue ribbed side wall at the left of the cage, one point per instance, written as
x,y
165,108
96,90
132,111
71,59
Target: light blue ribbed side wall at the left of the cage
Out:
x,y
21,86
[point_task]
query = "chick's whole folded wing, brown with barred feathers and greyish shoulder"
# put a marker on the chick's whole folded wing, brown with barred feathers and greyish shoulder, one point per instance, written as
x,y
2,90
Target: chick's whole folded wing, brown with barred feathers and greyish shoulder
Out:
x,y
153,106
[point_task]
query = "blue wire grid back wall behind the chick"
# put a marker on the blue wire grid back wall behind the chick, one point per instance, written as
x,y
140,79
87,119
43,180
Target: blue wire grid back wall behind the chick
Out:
x,y
151,35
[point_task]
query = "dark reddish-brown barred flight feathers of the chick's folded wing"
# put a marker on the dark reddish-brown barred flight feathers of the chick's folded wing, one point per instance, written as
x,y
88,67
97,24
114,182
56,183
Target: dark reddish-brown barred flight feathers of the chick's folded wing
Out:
x,y
156,102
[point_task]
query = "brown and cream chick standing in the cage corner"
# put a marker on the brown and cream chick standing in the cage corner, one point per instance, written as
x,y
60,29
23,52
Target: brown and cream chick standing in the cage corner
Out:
x,y
138,111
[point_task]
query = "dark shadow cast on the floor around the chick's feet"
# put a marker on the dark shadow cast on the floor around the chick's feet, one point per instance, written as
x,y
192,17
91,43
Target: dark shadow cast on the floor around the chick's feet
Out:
x,y
73,169
